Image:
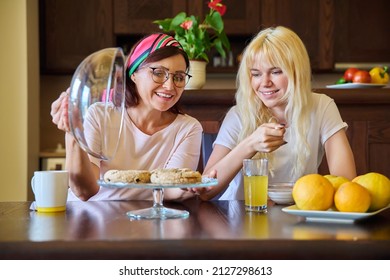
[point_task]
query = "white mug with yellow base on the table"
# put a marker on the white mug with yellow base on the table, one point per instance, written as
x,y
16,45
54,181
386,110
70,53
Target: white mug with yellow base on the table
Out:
x,y
51,190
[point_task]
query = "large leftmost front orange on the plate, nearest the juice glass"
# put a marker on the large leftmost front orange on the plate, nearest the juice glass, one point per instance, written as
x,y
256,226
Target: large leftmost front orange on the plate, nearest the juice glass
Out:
x,y
313,192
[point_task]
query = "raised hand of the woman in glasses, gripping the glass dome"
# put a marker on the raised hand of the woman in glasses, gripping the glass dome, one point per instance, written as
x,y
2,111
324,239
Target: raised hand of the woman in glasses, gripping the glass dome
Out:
x,y
59,111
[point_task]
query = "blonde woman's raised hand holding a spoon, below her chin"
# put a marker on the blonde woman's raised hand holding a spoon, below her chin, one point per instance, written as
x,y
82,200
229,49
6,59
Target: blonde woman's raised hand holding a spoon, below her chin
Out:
x,y
268,137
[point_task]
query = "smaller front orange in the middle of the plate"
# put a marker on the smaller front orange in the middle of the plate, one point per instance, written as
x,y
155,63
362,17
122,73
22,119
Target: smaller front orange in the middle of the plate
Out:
x,y
352,197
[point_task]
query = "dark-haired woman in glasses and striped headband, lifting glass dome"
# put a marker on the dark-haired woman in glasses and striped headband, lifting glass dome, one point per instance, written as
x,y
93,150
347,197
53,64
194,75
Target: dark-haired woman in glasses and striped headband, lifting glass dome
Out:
x,y
156,133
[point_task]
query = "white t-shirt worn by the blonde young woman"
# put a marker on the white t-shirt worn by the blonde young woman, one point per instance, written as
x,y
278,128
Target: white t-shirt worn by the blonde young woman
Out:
x,y
325,121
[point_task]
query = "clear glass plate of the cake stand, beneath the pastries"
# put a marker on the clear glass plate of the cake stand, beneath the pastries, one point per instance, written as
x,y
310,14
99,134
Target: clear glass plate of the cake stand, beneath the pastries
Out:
x,y
206,182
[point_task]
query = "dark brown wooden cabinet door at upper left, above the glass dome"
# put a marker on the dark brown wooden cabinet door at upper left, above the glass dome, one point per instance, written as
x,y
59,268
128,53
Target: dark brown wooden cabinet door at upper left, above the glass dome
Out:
x,y
71,30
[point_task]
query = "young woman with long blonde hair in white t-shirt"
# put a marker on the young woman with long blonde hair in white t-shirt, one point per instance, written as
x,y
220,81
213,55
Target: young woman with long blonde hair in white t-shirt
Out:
x,y
278,117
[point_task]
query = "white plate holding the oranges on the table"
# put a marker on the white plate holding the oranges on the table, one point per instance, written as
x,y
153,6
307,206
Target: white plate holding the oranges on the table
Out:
x,y
330,215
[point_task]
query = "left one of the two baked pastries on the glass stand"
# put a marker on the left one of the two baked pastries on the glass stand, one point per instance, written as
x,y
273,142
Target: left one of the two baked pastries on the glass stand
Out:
x,y
127,176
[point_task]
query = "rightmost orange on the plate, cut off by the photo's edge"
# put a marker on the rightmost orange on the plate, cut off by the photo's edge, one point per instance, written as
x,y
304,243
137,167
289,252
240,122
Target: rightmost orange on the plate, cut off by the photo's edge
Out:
x,y
379,187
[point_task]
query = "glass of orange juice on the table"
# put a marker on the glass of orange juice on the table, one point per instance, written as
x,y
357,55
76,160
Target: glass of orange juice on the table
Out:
x,y
255,190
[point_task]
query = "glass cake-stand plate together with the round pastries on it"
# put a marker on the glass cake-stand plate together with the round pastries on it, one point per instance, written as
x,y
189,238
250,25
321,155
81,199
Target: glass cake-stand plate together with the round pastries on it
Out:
x,y
158,178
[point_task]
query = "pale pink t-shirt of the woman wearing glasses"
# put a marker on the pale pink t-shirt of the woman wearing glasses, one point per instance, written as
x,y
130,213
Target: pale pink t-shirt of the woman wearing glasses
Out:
x,y
177,145
